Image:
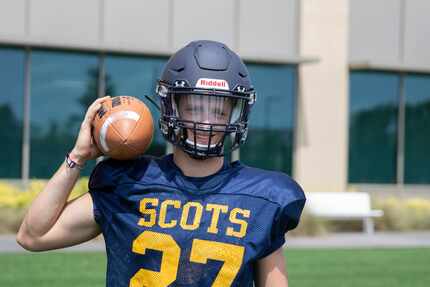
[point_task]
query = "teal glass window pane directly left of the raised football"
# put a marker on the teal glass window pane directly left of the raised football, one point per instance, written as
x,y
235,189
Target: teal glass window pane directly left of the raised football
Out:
x,y
62,87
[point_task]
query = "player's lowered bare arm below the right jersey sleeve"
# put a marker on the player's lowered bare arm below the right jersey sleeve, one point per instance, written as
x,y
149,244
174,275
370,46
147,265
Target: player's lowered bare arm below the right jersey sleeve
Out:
x,y
271,270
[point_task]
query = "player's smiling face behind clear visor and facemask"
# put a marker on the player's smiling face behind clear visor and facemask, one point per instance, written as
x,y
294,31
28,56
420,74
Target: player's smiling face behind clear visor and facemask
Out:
x,y
205,110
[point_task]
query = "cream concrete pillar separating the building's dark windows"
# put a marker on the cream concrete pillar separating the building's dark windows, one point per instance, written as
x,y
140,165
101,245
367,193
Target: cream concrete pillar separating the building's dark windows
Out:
x,y
320,158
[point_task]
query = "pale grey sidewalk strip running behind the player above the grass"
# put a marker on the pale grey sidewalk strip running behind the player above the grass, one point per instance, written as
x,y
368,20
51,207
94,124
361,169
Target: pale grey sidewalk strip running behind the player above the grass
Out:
x,y
337,240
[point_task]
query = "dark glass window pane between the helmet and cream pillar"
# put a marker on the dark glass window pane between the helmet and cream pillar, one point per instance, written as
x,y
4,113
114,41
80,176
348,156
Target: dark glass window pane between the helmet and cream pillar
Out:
x,y
270,138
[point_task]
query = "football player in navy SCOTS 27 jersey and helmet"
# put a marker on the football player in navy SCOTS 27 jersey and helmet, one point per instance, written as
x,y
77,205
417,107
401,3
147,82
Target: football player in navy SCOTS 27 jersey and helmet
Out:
x,y
190,218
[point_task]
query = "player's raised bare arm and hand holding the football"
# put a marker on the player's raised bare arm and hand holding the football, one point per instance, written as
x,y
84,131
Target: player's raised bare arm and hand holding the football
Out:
x,y
50,221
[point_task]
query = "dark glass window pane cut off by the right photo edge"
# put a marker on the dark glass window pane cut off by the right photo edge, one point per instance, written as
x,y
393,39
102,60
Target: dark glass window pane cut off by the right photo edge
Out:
x,y
417,129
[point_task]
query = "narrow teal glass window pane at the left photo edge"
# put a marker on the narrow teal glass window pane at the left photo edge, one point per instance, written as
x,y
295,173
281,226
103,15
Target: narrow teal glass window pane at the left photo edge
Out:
x,y
11,111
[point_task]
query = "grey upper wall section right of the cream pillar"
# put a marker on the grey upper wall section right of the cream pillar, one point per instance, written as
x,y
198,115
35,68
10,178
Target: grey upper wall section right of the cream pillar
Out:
x,y
390,32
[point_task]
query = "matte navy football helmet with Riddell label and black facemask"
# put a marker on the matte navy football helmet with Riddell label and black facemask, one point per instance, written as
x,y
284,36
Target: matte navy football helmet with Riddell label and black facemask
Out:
x,y
206,96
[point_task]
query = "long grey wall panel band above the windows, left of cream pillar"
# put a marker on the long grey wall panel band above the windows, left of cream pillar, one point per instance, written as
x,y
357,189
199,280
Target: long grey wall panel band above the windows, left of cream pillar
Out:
x,y
258,30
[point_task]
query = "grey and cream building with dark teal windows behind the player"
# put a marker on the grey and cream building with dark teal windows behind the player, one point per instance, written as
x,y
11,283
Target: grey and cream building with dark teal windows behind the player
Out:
x,y
343,85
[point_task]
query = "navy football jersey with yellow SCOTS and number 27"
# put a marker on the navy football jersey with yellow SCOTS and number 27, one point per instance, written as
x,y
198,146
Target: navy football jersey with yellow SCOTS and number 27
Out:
x,y
163,228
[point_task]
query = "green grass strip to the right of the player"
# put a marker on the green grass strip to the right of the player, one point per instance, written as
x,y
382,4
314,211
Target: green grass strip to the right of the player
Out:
x,y
359,267
